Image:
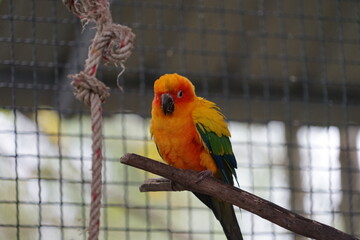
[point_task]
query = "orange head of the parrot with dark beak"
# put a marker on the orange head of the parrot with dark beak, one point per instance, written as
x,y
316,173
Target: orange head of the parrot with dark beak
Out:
x,y
172,92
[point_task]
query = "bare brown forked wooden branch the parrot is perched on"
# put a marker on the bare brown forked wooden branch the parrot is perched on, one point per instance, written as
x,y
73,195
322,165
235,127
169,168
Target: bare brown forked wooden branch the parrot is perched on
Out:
x,y
189,180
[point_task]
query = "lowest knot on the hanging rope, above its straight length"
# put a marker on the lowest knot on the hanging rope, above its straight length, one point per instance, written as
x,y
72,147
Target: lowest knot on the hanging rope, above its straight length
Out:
x,y
86,85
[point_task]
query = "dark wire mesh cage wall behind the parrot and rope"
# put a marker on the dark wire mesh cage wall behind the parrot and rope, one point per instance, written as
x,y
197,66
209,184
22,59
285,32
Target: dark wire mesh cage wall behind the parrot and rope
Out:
x,y
285,73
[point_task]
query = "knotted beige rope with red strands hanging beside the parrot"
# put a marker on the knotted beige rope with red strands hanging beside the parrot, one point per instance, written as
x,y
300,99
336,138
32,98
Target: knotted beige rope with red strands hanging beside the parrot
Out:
x,y
113,44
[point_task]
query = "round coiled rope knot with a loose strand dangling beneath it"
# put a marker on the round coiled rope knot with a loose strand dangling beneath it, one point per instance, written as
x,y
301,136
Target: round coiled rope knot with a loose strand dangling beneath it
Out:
x,y
119,44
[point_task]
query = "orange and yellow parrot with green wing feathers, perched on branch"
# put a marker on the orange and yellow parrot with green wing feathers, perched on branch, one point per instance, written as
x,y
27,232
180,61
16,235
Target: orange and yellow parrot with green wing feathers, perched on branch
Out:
x,y
191,133
